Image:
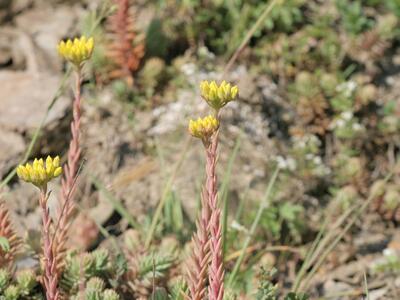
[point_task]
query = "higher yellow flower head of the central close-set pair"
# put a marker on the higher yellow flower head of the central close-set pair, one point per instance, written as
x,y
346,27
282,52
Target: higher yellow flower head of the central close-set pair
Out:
x,y
217,96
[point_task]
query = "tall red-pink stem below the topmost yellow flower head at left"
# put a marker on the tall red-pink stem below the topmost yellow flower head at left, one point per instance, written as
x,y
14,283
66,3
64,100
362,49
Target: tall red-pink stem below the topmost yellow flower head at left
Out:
x,y
69,174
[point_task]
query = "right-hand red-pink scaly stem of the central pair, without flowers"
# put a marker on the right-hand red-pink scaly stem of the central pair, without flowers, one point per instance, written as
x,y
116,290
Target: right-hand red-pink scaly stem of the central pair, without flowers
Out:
x,y
216,272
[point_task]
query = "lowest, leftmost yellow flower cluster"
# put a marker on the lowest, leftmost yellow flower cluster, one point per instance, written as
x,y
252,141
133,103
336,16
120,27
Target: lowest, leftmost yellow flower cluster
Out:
x,y
40,173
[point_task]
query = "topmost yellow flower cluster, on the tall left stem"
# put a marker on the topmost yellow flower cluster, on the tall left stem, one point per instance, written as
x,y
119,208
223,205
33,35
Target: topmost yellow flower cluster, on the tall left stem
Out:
x,y
76,51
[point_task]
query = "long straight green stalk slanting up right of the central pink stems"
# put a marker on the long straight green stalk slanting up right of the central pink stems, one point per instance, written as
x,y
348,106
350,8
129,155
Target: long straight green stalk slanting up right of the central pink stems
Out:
x,y
263,204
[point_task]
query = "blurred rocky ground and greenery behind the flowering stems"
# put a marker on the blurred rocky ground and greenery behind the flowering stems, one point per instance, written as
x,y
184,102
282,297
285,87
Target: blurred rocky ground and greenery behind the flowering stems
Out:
x,y
319,98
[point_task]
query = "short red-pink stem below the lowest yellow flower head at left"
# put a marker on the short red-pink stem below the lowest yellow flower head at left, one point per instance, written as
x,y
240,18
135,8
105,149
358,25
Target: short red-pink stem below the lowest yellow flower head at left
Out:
x,y
50,264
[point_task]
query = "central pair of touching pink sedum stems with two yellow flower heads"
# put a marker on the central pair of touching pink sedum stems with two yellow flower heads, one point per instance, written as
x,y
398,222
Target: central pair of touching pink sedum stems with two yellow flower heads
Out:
x,y
206,260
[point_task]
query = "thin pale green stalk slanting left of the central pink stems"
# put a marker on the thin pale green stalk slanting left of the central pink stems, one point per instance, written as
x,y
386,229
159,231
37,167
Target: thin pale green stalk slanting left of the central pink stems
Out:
x,y
166,190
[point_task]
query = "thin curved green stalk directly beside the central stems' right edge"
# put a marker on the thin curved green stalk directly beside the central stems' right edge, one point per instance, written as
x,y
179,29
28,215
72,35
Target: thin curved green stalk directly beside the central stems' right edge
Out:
x,y
224,192
